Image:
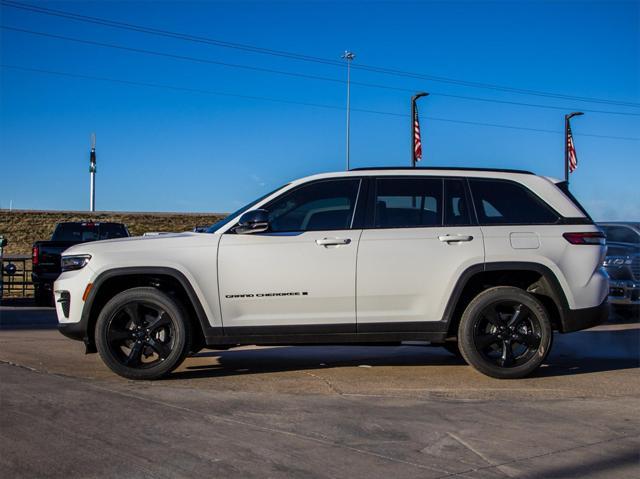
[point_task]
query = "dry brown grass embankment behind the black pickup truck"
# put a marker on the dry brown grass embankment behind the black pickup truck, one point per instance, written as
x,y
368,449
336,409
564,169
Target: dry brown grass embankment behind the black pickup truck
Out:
x,y
23,227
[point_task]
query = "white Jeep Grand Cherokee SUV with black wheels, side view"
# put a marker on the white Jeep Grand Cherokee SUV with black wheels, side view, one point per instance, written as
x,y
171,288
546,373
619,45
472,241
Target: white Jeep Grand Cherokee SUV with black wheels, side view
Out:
x,y
486,263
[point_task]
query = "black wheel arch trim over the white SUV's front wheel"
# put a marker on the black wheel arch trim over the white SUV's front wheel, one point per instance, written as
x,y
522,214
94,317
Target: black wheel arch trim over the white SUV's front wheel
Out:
x,y
169,280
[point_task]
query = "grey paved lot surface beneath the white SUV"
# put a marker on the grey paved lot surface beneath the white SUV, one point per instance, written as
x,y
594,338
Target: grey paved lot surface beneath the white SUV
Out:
x,y
318,411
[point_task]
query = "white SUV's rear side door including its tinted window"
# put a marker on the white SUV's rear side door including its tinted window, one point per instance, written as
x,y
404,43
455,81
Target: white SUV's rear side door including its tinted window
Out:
x,y
420,238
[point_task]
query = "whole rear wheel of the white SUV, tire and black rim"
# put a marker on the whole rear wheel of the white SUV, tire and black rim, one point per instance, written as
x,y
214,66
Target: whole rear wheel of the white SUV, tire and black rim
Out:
x,y
505,333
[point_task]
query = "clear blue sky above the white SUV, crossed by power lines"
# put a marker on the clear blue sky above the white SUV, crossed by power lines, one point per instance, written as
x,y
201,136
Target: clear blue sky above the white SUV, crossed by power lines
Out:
x,y
173,150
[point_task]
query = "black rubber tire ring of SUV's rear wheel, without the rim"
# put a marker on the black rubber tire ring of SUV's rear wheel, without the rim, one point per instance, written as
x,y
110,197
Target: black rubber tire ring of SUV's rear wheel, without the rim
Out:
x,y
466,332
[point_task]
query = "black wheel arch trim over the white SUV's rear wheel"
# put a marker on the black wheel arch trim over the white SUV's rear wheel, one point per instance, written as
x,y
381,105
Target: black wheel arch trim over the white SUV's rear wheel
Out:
x,y
534,278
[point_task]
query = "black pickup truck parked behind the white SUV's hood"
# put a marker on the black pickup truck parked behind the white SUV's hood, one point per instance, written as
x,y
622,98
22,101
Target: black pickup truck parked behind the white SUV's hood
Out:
x,y
46,254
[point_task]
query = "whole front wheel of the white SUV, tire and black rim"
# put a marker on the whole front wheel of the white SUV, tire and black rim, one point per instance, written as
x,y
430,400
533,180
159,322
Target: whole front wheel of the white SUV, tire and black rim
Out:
x,y
142,333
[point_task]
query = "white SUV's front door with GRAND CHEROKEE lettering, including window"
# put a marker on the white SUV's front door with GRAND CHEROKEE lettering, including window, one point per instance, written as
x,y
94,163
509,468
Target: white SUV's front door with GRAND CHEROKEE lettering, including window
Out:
x,y
299,276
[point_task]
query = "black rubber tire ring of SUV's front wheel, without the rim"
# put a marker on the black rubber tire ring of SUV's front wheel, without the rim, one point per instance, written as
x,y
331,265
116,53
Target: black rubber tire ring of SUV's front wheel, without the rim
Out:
x,y
179,319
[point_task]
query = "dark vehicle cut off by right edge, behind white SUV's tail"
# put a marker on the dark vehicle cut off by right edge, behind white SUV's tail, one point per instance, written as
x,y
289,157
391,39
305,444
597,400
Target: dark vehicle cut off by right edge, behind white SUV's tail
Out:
x,y
623,265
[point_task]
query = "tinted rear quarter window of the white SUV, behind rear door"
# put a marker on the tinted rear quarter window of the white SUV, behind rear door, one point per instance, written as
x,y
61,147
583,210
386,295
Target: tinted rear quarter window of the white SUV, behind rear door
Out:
x,y
501,202
